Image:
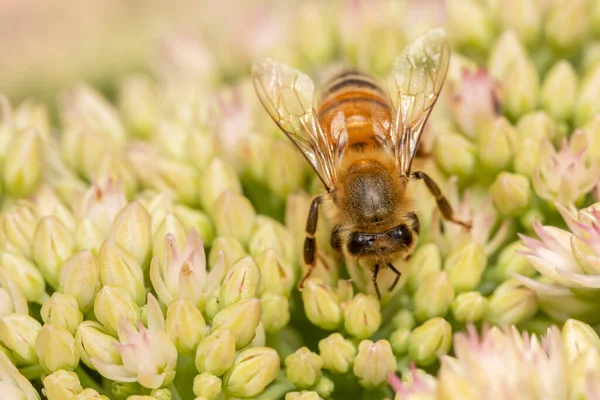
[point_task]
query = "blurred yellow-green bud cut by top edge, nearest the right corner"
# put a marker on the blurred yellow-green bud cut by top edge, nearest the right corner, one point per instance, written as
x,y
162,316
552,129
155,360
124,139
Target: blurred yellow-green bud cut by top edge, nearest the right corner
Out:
x,y
571,20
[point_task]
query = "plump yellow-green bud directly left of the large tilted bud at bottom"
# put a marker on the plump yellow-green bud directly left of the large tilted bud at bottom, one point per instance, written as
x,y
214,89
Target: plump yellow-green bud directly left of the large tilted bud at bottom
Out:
x,y
216,353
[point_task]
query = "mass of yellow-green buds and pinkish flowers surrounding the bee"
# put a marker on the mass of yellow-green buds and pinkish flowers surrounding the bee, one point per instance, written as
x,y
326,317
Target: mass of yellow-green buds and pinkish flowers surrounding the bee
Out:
x,y
153,247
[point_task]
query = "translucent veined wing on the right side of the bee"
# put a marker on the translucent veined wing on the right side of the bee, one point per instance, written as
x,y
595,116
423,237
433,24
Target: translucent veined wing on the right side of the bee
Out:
x,y
417,79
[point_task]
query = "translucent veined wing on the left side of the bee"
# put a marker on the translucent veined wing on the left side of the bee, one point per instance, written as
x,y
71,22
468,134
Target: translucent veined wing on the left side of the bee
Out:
x,y
288,96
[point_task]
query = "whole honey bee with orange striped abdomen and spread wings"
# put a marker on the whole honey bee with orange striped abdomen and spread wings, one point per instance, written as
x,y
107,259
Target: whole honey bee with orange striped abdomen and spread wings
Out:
x,y
361,143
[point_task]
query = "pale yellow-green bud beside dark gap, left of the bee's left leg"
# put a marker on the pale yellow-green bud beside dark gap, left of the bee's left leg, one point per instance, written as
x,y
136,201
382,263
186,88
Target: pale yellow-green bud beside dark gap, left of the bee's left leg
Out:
x,y
234,216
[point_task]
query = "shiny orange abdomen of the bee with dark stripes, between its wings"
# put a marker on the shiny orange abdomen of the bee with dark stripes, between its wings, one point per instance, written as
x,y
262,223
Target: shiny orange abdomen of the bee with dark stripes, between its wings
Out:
x,y
361,105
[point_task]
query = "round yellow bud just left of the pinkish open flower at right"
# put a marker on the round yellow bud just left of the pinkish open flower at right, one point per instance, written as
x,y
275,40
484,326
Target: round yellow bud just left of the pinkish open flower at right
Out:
x,y
511,193
